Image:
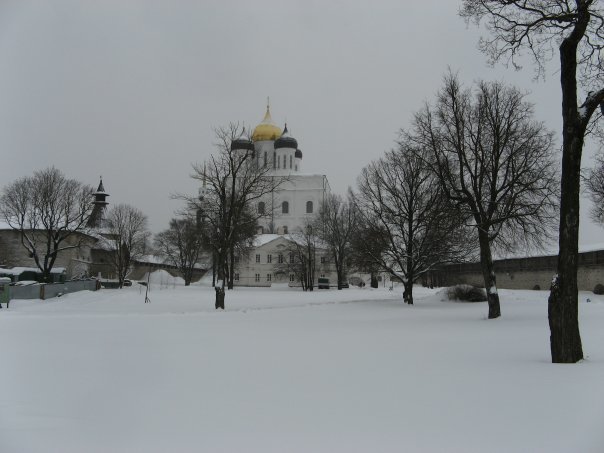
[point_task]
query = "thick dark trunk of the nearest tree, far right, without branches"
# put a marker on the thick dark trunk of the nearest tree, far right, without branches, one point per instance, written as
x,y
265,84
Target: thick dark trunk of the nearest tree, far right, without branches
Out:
x,y
563,302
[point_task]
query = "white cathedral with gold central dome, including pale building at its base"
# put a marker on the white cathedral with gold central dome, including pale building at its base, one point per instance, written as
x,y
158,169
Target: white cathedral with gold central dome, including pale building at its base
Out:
x,y
297,199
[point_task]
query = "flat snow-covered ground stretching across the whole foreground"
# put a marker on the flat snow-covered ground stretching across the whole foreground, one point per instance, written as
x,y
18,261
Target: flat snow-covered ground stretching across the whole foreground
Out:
x,y
285,371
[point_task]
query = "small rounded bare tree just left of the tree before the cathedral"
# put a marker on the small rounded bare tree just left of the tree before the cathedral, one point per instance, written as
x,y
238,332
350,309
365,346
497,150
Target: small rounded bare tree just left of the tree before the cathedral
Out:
x,y
182,245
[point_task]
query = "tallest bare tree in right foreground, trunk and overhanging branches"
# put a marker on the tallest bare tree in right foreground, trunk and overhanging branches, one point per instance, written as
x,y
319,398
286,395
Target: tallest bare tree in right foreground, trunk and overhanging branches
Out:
x,y
576,28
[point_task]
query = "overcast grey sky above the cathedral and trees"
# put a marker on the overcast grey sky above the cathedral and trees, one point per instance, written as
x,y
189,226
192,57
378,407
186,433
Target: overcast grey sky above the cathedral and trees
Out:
x,y
131,89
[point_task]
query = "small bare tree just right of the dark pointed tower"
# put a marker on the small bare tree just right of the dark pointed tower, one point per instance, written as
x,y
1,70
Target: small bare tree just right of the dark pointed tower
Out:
x,y
127,235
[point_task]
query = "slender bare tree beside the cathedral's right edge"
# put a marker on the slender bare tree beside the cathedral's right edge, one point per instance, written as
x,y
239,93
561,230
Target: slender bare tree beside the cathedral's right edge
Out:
x,y
335,225
